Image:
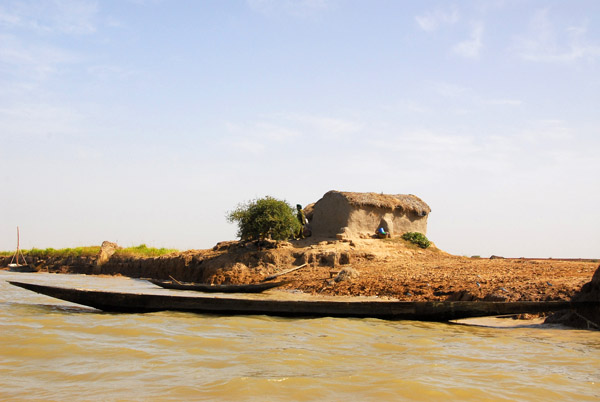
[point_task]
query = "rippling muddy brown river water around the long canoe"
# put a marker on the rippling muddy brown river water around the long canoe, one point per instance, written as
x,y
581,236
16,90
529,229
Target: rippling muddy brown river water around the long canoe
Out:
x,y
52,350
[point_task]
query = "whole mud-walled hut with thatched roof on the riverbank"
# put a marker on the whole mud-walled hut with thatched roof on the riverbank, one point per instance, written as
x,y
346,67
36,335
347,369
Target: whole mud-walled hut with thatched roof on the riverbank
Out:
x,y
351,215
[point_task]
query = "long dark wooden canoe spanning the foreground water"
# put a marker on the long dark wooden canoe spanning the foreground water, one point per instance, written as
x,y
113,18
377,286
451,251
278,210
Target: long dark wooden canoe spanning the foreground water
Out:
x,y
396,310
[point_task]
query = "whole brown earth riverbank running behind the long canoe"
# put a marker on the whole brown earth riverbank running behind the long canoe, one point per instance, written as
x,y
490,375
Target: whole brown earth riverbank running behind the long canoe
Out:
x,y
389,268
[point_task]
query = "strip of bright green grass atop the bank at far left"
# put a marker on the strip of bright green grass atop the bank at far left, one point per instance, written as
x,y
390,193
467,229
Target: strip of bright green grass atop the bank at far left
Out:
x,y
136,251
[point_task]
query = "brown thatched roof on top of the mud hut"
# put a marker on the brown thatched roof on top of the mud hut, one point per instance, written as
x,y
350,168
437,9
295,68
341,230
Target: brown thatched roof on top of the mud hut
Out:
x,y
405,202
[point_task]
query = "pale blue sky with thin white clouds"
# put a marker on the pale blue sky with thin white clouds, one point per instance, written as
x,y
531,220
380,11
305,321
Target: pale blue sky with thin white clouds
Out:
x,y
141,121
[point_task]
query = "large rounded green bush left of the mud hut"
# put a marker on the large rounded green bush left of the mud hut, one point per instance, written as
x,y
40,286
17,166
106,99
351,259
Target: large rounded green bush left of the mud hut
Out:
x,y
265,218
